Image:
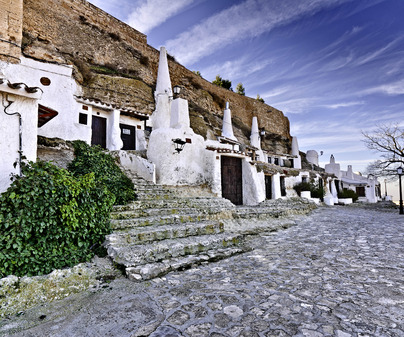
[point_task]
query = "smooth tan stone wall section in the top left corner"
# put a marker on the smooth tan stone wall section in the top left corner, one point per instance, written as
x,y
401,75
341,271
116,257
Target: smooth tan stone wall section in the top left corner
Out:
x,y
10,30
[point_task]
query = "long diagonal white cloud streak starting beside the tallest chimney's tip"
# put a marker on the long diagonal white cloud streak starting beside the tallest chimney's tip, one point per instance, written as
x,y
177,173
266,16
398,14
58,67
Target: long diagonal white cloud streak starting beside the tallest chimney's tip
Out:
x,y
248,19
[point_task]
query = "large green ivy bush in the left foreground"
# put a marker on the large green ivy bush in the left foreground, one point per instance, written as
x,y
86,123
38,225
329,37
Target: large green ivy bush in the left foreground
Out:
x,y
49,220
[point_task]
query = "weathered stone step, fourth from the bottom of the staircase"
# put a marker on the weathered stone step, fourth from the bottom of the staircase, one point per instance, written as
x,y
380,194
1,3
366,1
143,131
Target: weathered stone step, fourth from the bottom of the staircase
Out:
x,y
196,216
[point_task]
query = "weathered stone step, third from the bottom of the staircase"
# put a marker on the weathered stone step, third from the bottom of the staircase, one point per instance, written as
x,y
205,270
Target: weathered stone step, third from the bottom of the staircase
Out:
x,y
142,235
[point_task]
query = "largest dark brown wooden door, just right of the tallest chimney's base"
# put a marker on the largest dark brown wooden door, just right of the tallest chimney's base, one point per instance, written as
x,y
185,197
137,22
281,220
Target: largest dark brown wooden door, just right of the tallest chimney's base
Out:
x,y
232,184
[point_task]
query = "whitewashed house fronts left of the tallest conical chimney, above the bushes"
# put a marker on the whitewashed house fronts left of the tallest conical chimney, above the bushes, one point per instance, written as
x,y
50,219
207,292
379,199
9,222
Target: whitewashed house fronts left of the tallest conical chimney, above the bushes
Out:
x,y
58,91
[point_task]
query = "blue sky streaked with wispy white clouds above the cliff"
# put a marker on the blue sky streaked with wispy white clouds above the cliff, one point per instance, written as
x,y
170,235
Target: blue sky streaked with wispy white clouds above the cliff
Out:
x,y
334,67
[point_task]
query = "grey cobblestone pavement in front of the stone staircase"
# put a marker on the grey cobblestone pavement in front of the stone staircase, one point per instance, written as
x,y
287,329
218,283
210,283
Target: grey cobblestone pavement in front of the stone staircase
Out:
x,y
339,272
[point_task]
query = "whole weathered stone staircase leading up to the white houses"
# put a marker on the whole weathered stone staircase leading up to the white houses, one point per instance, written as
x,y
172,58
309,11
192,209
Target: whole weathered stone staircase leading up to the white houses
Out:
x,y
165,231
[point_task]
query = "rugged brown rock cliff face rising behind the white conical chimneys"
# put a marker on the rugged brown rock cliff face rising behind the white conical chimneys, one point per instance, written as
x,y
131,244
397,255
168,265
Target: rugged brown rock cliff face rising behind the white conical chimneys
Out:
x,y
114,63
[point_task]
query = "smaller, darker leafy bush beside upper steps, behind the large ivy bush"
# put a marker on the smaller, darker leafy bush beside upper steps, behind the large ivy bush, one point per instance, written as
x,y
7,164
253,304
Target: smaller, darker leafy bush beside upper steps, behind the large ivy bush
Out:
x,y
93,159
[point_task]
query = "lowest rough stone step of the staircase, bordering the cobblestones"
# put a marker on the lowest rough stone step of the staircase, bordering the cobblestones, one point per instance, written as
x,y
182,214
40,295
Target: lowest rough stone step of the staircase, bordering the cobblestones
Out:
x,y
158,269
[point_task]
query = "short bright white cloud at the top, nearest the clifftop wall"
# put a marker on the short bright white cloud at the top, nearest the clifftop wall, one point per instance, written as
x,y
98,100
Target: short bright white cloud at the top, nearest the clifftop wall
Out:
x,y
151,13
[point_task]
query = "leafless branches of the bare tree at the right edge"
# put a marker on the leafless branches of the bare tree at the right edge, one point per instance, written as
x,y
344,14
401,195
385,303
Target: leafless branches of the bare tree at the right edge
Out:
x,y
388,140
